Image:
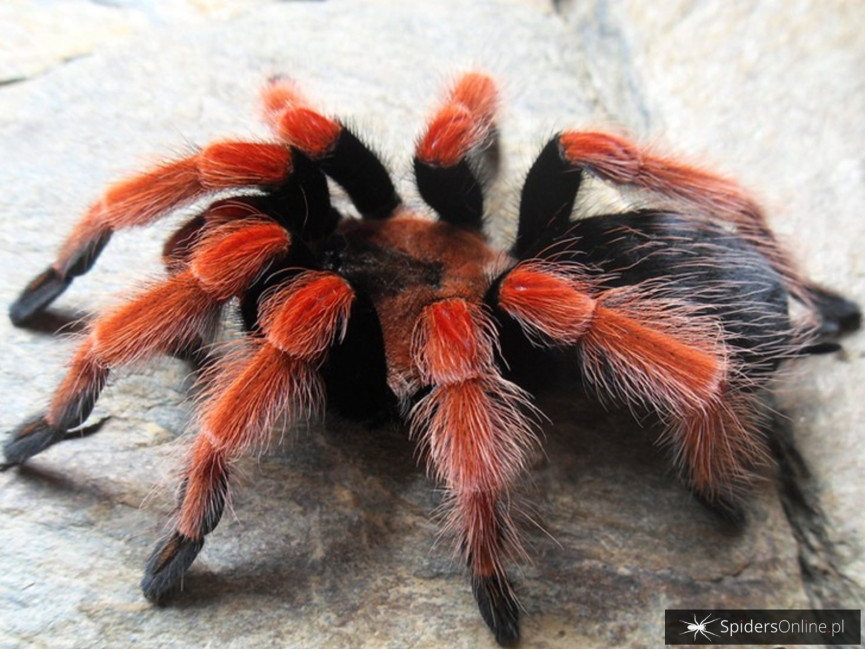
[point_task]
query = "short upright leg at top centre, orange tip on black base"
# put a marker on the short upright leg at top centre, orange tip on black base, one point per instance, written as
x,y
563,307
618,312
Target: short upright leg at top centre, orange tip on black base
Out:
x,y
458,154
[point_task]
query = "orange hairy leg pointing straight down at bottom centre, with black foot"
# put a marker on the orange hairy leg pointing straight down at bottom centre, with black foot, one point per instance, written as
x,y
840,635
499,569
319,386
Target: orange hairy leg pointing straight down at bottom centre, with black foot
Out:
x,y
474,430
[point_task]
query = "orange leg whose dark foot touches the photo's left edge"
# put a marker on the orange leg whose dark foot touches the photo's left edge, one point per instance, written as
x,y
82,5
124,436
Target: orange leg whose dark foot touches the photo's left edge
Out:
x,y
174,314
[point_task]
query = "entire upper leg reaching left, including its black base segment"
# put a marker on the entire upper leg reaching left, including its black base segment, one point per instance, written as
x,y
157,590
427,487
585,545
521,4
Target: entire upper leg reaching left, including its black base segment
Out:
x,y
294,186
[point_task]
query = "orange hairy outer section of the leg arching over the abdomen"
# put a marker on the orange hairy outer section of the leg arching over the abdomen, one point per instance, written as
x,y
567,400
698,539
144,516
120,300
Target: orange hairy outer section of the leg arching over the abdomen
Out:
x,y
620,161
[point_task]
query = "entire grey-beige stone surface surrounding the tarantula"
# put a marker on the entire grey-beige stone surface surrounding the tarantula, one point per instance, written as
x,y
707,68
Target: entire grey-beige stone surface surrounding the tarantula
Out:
x,y
330,542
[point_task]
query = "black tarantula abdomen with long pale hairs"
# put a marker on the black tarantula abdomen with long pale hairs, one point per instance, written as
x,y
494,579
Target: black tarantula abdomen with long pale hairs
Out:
x,y
683,258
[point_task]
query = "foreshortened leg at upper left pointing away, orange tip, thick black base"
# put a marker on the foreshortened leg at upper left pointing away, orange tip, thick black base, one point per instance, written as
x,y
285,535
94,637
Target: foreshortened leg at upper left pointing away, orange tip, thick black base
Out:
x,y
333,146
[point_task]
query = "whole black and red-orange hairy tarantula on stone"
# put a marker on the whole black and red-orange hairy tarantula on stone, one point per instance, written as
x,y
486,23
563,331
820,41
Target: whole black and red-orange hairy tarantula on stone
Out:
x,y
679,311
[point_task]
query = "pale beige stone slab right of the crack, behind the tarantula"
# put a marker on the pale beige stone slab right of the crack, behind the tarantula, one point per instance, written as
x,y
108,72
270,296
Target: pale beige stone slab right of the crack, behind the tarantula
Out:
x,y
776,92
